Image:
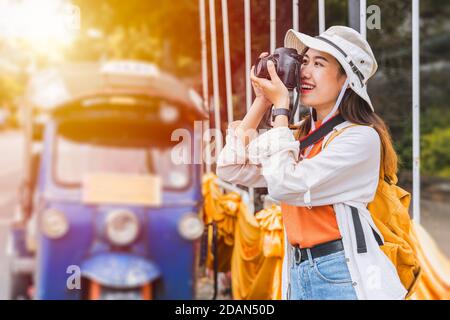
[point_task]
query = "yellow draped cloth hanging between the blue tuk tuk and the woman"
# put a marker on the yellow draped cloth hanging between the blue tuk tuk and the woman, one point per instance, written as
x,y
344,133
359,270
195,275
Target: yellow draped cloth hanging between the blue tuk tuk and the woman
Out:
x,y
251,246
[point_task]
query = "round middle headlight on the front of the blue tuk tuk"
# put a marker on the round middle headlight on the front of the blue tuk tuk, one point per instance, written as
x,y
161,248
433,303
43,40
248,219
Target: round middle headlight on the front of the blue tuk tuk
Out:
x,y
122,227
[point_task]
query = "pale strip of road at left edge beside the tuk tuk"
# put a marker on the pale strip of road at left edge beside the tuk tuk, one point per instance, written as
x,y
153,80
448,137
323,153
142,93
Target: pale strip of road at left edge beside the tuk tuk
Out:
x,y
11,164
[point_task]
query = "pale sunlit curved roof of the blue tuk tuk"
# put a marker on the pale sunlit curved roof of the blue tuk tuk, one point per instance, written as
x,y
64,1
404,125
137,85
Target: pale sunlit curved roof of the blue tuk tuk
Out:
x,y
69,84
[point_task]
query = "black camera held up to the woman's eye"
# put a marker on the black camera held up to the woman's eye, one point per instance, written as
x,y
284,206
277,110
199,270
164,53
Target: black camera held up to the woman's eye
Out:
x,y
287,64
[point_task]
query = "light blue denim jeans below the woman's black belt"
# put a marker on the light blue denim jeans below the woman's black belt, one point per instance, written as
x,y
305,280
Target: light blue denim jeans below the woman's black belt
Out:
x,y
323,278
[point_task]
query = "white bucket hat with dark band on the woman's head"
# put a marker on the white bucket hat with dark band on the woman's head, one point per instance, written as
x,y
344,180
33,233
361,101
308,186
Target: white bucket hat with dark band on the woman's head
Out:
x,y
348,47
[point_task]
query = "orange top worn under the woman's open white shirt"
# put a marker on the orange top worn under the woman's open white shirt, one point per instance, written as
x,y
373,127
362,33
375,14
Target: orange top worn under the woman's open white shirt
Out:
x,y
309,227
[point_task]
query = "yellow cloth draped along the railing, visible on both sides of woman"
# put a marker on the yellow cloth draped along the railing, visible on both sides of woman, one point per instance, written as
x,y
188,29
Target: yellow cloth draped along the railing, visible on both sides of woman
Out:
x,y
252,247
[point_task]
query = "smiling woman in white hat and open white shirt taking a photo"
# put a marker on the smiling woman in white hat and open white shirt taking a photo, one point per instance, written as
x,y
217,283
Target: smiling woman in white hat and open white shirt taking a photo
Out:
x,y
318,188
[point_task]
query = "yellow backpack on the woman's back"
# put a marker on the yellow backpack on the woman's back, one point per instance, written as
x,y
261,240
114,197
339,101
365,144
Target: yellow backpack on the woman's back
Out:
x,y
389,211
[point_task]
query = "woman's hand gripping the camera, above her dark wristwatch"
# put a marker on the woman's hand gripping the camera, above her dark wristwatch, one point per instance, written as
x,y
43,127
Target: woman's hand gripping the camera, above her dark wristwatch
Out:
x,y
273,90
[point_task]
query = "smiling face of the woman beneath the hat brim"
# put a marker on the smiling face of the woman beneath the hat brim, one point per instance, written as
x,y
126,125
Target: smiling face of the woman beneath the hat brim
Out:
x,y
321,79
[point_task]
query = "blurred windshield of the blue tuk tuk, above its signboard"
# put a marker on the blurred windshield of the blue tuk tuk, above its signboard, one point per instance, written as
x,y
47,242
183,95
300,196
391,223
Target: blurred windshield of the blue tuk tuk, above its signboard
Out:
x,y
75,158
